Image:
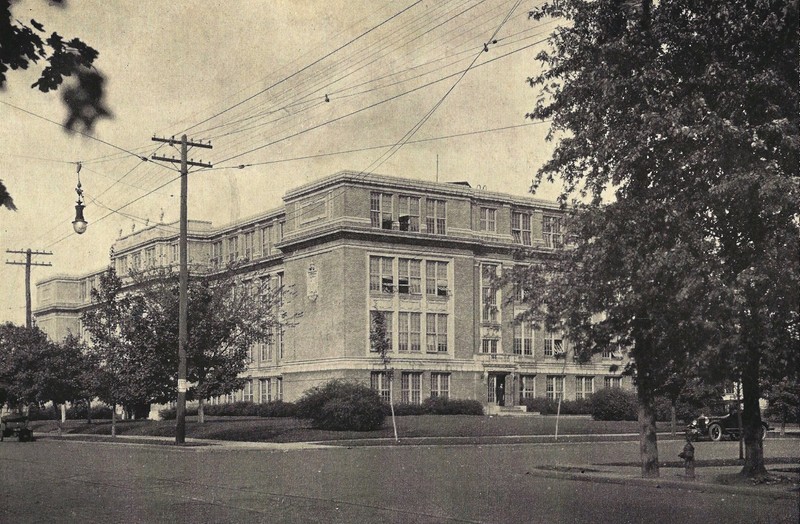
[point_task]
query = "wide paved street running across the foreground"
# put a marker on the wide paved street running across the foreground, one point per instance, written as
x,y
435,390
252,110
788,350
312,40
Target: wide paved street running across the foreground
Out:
x,y
65,481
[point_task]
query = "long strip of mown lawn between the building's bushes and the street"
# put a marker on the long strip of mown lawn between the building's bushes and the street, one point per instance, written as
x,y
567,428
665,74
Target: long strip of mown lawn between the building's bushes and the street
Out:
x,y
458,428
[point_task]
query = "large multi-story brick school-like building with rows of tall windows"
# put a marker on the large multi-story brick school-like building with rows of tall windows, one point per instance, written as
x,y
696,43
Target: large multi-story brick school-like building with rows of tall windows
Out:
x,y
353,245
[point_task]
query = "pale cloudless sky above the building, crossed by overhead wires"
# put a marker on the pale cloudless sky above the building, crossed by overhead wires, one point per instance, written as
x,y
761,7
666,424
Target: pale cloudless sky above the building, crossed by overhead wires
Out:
x,y
253,77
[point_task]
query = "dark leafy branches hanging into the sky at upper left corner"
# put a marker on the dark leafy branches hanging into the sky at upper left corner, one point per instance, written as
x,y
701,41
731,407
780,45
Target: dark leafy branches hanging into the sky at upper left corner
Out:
x,y
24,44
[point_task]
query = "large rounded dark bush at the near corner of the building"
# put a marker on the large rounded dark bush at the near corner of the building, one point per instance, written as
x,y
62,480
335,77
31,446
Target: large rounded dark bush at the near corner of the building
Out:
x,y
342,406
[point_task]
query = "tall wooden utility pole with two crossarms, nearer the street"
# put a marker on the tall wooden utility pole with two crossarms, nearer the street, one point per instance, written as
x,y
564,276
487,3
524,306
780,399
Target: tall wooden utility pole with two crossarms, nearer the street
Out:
x,y
183,334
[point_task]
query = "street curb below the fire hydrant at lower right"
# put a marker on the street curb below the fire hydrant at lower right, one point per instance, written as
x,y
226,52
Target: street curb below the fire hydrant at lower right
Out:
x,y
610,478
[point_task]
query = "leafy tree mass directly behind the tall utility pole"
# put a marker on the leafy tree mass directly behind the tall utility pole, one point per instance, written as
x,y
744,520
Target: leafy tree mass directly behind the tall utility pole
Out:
x,y
134,326
